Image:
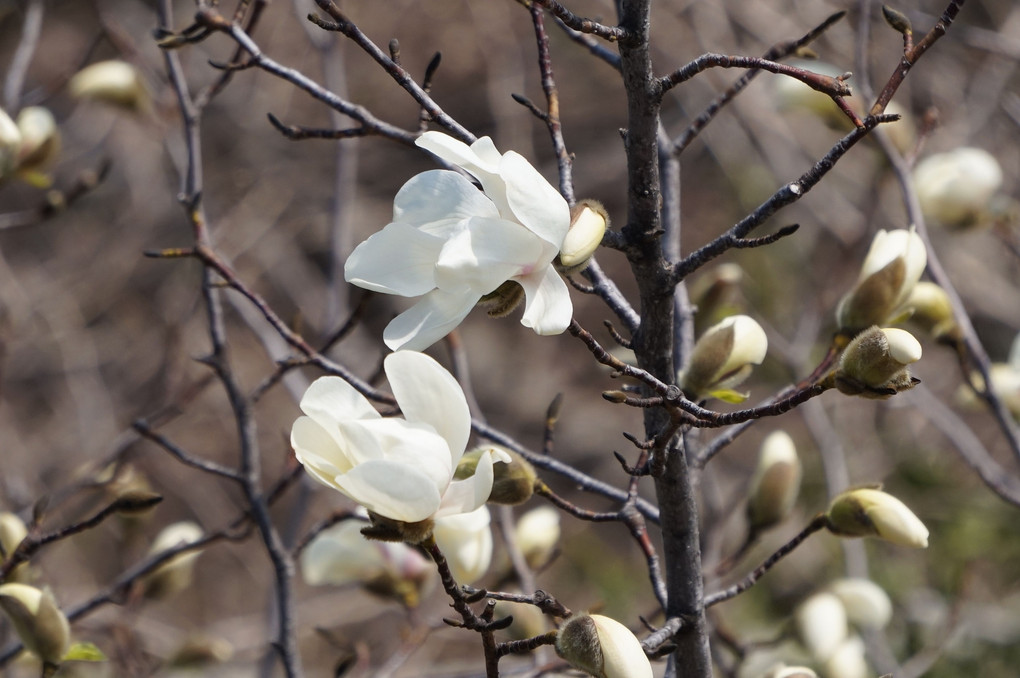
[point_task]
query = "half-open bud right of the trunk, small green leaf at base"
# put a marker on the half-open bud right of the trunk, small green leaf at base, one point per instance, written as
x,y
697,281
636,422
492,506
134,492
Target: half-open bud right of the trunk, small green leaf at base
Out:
x,y
724,357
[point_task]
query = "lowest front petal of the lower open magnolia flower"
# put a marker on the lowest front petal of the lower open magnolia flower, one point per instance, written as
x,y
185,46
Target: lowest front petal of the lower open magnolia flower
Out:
x,y
392,490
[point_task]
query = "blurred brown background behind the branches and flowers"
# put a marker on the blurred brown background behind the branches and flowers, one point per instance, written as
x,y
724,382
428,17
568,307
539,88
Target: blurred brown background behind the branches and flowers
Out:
x,y
94,336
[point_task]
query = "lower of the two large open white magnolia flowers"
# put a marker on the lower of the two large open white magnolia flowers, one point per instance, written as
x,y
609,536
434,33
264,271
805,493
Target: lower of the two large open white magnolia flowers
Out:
x,y
399,468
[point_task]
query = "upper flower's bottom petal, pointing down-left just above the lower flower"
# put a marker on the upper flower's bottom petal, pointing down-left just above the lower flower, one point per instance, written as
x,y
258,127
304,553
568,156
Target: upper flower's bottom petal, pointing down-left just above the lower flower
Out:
x,y
431,320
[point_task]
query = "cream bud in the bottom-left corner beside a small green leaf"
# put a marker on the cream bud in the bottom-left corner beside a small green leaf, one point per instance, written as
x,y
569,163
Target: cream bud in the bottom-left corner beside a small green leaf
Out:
x,y
39,622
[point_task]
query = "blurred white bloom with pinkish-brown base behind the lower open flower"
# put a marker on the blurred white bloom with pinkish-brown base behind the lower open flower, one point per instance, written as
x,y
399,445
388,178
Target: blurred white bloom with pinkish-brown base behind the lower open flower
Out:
x,y
341,555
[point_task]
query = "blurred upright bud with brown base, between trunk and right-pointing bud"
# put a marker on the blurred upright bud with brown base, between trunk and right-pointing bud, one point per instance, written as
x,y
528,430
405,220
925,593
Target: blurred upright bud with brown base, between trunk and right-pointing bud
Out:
x,y
776,484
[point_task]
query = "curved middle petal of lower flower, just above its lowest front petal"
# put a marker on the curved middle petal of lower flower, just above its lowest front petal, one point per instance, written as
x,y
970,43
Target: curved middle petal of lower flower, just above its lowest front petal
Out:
x,y
417,446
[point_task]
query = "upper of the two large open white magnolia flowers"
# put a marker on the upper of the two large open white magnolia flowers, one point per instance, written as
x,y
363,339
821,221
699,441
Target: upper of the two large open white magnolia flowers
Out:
x,y
452,244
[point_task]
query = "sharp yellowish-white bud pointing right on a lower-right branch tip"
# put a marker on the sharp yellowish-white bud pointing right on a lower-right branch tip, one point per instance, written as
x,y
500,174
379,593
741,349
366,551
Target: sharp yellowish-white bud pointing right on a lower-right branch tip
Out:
x,y
868,512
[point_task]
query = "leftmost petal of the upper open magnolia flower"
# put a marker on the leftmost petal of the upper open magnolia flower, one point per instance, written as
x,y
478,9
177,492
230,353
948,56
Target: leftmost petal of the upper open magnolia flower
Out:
x,y
398,260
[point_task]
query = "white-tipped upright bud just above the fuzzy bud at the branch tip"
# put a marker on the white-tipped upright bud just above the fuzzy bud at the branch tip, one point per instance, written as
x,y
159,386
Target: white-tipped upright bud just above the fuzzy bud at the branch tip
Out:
x,y
892,269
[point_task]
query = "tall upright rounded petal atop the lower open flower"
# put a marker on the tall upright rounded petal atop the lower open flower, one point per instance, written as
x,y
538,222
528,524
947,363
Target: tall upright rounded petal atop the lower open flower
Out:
x,y
428,393
